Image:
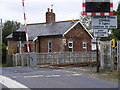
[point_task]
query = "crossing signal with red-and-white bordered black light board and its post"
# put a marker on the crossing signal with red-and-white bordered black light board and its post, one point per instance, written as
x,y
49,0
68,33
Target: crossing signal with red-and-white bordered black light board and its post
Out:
x,y
98,8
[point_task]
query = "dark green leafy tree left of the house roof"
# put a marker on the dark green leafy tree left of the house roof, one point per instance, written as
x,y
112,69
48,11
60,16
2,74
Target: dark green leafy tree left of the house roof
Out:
x,y
8,28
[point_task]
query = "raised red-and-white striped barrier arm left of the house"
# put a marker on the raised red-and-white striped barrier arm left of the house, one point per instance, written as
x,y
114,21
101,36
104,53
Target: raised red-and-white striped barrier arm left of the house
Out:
x,y
25,27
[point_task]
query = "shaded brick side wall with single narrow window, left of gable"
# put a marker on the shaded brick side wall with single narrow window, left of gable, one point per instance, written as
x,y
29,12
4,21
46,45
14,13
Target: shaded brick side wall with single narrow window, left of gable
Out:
x,y
56,43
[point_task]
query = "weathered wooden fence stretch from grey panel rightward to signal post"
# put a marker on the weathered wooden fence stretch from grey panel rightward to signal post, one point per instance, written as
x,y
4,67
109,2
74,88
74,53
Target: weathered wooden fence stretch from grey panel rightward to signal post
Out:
x,y
65,57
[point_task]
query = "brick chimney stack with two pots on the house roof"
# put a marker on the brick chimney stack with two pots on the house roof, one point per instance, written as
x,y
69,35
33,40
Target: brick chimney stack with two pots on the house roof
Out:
x,y
50,16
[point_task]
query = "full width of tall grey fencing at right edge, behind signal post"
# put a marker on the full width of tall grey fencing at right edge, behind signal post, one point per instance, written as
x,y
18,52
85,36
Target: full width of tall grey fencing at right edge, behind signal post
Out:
x,y
109,57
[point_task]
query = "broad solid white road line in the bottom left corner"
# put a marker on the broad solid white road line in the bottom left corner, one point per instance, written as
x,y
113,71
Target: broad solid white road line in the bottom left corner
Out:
x,y
8,82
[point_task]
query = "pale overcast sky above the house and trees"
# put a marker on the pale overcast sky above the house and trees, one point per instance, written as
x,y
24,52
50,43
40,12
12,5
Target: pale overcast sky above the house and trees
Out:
x,y
35,10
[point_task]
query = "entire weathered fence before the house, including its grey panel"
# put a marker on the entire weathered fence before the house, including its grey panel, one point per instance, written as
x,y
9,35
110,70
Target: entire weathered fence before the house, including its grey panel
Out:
x,y
54,58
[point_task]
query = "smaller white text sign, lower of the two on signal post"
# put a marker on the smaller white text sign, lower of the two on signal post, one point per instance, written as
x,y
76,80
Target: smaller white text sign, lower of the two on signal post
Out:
x,y
100,32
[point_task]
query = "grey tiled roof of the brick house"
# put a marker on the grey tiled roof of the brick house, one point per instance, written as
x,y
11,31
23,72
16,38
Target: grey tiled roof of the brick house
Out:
x,y
49,29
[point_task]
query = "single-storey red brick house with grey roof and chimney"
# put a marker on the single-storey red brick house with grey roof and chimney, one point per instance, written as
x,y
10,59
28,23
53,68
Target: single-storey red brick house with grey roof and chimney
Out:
x,y
54,36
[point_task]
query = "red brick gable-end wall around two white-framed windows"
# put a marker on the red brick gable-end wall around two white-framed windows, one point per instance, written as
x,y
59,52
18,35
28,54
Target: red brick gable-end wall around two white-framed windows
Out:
x,y
78,35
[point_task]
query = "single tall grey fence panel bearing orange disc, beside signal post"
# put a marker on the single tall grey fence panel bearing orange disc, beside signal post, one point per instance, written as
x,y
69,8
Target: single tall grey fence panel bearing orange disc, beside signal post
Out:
x,y
105,55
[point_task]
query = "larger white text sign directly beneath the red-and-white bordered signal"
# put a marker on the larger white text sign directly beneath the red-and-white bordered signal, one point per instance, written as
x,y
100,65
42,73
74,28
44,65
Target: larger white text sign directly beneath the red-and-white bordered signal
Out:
x,y
104,22
